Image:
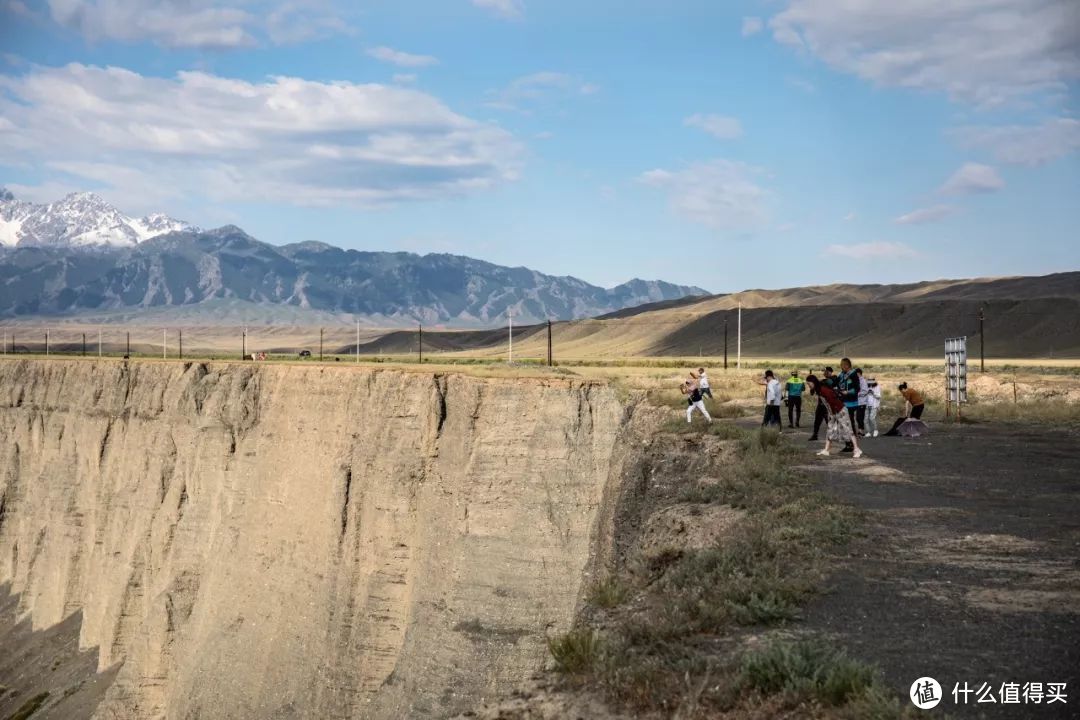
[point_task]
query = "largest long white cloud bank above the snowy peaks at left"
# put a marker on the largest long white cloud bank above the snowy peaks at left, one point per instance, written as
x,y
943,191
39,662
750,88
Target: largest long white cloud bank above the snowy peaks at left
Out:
x,y
286,140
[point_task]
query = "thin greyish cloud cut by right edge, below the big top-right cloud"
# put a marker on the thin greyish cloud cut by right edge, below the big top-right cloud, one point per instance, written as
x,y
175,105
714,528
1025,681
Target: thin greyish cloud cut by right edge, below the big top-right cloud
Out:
x,y
1024,145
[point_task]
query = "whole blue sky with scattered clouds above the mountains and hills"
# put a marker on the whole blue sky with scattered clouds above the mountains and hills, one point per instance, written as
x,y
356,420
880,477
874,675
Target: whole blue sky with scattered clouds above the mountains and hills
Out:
x,y
763,144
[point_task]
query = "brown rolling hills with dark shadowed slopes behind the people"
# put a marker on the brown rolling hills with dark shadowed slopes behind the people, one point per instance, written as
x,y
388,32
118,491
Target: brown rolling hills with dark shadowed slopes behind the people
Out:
x,y
1024,318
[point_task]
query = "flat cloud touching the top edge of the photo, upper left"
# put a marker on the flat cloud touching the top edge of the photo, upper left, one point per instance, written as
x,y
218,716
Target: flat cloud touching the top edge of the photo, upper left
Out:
x,y
198,23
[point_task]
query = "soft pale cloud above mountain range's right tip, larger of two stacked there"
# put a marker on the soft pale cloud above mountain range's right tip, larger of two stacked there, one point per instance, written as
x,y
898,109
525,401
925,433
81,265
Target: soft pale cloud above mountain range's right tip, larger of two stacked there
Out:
x,y
721,194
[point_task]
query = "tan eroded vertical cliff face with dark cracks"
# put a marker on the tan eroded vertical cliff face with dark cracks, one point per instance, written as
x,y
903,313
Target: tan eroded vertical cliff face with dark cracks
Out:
x,y
301,541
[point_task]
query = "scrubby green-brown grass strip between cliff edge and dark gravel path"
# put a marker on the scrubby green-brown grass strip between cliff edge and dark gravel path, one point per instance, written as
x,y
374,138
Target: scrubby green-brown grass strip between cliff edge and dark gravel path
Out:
x,y
707,632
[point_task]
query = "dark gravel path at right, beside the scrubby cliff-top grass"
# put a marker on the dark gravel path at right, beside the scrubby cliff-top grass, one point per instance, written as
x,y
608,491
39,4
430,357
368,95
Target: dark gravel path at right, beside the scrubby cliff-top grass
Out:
x,y
970,572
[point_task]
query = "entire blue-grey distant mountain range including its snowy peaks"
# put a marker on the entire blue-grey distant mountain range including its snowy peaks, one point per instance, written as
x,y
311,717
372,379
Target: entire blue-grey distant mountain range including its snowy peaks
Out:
x,y
80,255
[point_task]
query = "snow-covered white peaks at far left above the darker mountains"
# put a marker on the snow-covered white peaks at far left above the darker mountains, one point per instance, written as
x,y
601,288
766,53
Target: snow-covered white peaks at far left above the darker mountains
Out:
x,y
82,220
